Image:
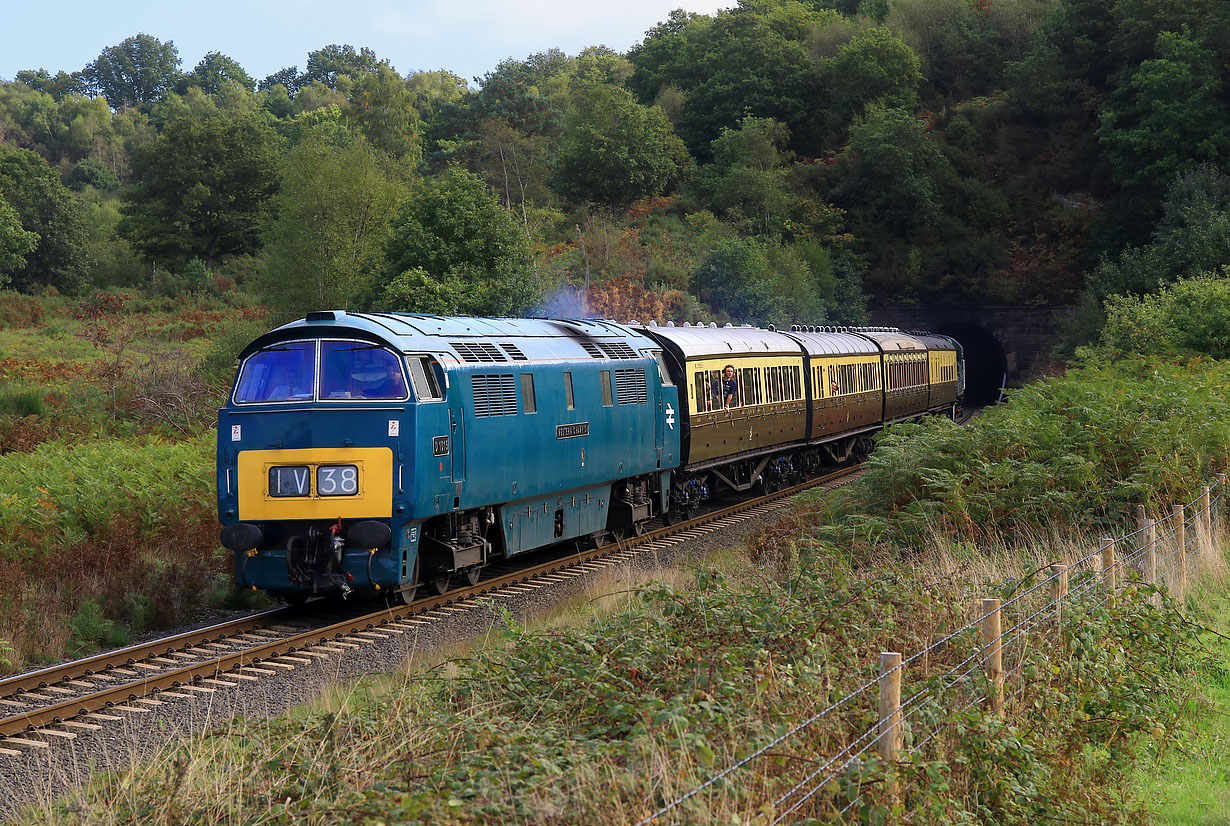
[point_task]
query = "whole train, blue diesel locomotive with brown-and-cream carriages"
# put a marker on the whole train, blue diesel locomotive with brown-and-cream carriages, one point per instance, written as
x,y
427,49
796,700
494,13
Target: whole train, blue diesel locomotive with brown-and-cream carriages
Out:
x,y
381,453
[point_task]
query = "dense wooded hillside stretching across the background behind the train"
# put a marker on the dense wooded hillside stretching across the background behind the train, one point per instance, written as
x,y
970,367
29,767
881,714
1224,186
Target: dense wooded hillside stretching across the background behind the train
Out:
x,y
779,162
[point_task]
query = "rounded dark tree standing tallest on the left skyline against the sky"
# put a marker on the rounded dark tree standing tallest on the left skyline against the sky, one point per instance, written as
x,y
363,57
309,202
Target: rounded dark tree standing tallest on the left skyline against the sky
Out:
x,y
138,72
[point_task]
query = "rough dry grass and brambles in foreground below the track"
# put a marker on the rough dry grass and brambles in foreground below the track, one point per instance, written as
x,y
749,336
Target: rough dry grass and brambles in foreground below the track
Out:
x,y
639,690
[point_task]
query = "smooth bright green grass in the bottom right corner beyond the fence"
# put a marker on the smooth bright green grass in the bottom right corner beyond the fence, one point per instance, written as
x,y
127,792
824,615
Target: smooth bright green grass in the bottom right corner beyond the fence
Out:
x,y
1190,785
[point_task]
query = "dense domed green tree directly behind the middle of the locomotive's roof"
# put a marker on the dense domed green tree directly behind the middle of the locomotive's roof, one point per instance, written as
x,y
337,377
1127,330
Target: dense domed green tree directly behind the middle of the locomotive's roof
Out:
x,y
454,232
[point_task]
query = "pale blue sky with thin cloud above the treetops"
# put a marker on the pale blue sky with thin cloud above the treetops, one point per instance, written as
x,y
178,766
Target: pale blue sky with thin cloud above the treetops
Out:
x,y
468,37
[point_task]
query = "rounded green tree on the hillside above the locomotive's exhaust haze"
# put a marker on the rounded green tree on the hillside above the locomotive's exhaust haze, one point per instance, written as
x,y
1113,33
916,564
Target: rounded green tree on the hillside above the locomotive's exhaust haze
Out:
x,y
614,151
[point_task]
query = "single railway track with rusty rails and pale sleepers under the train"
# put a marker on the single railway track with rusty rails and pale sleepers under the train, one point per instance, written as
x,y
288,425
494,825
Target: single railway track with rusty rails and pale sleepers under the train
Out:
x,y
56,704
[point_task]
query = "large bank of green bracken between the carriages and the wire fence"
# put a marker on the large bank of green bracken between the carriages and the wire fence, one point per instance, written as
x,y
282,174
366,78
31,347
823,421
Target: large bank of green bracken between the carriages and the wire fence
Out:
x,y
1065,453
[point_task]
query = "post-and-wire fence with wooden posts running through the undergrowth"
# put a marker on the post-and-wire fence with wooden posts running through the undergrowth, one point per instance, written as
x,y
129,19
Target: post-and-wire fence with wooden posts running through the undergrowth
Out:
x,y
1156,555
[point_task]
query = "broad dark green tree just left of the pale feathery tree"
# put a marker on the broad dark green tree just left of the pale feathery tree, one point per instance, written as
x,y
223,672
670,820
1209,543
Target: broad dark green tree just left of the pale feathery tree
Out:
x,y
205,189
